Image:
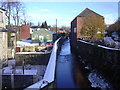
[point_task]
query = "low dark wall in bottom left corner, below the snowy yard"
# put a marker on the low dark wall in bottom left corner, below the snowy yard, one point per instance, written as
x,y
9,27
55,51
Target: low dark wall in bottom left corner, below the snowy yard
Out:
x,y
20,81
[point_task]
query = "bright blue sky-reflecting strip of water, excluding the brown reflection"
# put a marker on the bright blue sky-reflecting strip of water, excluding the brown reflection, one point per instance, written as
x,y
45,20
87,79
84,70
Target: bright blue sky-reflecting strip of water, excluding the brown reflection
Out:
x,y
64,77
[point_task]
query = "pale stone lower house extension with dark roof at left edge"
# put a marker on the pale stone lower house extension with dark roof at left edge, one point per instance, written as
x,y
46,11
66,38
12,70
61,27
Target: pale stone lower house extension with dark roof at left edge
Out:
x,y
7,45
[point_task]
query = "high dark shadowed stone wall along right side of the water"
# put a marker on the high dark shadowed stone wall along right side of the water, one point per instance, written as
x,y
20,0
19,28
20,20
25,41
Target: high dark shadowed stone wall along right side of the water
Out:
x,y
105,60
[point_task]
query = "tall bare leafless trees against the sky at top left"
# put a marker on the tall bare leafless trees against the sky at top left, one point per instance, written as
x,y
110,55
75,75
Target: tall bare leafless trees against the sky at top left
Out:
x,y
14,10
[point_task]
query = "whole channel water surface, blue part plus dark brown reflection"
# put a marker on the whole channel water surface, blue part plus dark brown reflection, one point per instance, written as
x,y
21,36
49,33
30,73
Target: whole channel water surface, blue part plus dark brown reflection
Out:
x,y
68,74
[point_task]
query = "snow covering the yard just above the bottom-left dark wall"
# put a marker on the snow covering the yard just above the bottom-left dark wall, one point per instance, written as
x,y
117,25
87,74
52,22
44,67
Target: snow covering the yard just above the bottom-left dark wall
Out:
x,y
33,70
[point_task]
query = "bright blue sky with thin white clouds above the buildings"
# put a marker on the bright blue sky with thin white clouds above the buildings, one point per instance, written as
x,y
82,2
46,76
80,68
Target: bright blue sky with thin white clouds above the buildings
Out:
x,y
65,12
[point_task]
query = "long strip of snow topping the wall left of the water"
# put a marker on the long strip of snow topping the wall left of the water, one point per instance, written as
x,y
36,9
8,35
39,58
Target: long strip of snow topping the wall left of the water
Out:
x,y
50,70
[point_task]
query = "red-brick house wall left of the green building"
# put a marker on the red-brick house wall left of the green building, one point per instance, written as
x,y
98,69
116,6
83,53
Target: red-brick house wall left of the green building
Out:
x,y
24,32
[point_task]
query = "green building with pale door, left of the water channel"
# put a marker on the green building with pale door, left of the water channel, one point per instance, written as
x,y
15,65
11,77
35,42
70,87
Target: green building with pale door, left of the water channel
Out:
x,y
43,35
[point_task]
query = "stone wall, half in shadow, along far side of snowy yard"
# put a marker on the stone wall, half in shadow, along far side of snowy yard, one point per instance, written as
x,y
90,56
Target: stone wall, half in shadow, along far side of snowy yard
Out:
x,y
33,59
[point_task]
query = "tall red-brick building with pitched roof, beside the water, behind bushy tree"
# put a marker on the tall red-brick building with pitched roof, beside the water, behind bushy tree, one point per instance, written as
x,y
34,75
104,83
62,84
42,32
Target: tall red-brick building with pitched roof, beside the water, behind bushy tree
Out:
x,y
77,23
